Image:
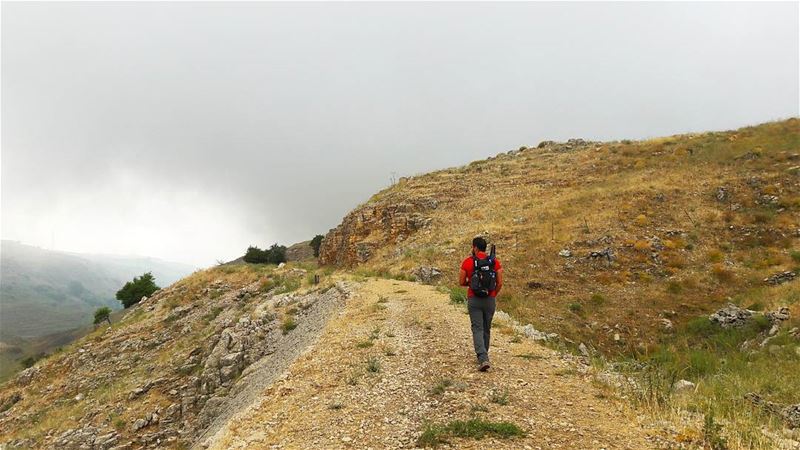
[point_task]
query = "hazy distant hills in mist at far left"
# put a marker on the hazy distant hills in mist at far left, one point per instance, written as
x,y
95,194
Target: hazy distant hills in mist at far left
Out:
x,y
47,296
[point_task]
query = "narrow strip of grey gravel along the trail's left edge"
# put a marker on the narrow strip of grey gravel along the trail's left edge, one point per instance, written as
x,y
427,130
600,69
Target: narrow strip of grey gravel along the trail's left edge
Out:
x,y
264,372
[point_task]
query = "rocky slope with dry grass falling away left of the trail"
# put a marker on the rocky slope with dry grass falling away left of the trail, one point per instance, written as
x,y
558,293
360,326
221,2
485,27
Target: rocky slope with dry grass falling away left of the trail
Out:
x,y
174,367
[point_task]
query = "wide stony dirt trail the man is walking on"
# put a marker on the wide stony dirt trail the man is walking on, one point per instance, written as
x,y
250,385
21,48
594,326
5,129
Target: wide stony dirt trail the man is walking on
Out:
x,y
328,398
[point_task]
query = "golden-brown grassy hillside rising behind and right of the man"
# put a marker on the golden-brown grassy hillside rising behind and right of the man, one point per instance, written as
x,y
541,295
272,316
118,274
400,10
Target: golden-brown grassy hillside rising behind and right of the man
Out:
x,y
610,243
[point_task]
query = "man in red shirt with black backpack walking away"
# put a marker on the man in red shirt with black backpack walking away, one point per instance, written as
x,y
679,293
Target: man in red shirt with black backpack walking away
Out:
x,y
483,276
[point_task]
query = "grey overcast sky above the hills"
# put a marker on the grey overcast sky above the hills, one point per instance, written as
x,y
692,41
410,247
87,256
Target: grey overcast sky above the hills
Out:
x,y
189,131
